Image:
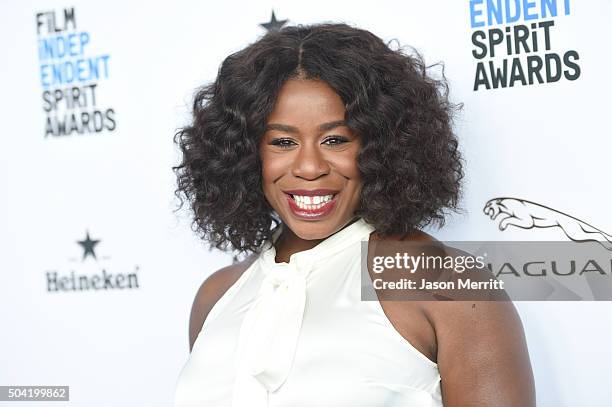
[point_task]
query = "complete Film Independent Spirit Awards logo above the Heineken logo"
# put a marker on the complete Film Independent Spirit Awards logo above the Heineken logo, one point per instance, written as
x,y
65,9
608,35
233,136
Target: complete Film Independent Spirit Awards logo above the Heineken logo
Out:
x,y
72,75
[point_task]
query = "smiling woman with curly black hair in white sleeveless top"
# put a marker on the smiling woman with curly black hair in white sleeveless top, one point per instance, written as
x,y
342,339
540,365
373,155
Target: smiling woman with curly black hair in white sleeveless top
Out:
x,y
310,141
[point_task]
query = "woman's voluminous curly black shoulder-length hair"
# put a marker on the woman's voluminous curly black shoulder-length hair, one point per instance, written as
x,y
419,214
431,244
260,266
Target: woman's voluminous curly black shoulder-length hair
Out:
x,y
410,166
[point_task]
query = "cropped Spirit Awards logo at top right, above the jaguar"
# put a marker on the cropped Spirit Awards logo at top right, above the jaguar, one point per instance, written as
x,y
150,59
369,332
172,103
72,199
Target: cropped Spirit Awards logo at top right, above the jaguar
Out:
x,y
516,42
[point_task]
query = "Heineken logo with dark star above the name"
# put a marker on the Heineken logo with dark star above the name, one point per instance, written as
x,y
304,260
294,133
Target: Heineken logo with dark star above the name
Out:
x,y
90,270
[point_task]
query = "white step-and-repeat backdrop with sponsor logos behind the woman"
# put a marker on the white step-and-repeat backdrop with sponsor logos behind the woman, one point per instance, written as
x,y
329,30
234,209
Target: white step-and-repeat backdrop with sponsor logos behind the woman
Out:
x,y
98,270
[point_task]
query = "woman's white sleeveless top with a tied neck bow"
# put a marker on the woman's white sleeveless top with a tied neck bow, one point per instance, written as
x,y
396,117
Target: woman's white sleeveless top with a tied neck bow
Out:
x,y
298,334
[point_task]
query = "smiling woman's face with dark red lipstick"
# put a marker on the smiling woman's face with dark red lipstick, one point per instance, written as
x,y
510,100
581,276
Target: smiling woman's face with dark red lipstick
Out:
x,y
309,160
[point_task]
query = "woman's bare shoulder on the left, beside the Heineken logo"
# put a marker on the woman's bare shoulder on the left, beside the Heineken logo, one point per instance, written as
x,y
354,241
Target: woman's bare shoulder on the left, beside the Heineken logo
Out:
x,y
210,291
